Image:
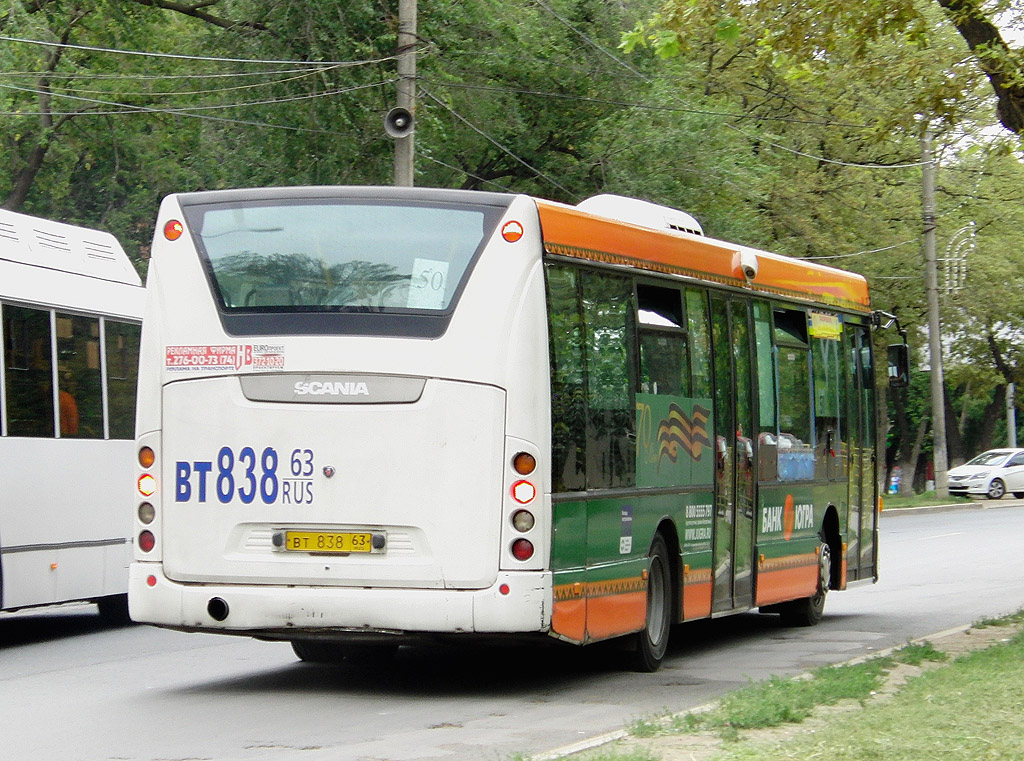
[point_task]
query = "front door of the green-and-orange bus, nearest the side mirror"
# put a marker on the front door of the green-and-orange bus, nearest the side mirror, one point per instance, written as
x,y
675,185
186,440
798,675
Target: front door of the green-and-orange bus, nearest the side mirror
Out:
x,y
862,521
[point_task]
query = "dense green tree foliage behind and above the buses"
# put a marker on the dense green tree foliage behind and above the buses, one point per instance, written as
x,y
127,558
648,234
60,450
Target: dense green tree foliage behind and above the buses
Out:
x,y
773,122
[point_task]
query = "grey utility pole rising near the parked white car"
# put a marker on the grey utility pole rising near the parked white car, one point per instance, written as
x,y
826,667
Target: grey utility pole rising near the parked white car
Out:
x,y
934,329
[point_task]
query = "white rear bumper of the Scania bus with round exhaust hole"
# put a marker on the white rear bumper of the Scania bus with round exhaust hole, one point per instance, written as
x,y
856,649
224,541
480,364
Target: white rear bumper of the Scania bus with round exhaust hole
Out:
x,y
518,603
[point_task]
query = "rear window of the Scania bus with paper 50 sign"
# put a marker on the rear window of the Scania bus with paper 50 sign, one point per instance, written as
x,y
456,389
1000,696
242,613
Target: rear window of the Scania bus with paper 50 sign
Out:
x,y
337,257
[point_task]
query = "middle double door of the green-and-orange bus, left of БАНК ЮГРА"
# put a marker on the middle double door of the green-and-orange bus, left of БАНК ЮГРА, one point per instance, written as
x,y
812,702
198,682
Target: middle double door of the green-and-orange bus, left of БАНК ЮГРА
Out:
x,y
734,455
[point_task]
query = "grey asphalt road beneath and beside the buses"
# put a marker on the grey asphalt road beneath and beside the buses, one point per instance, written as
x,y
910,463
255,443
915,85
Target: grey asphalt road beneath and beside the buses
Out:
x,y
74,690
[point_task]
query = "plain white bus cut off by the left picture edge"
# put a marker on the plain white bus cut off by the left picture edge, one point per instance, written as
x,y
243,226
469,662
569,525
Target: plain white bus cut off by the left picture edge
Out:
x,y
71,308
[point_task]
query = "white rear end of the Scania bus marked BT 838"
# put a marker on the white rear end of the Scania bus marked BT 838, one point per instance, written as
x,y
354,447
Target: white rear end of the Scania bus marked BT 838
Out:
x,y
344,414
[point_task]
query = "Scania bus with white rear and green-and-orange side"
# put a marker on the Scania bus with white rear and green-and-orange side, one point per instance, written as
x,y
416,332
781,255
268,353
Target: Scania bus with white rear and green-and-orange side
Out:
x,y
369,414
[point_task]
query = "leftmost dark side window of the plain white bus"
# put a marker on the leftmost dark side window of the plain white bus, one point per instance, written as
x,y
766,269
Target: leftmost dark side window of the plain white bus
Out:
x,y
28,372
